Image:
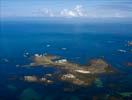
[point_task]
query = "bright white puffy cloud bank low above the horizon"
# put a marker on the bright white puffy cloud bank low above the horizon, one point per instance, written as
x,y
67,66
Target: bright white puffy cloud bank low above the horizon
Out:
x,y
77,11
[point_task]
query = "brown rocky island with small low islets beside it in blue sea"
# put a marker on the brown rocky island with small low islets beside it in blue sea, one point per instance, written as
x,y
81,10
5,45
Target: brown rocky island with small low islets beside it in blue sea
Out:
x,y
72,73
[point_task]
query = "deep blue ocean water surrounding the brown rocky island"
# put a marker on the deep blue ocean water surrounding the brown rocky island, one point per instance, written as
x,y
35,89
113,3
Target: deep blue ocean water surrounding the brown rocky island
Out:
x,y
83,42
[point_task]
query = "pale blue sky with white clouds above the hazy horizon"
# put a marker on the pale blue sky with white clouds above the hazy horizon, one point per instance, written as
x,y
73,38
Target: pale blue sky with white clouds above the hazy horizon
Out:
x,y
66,8
